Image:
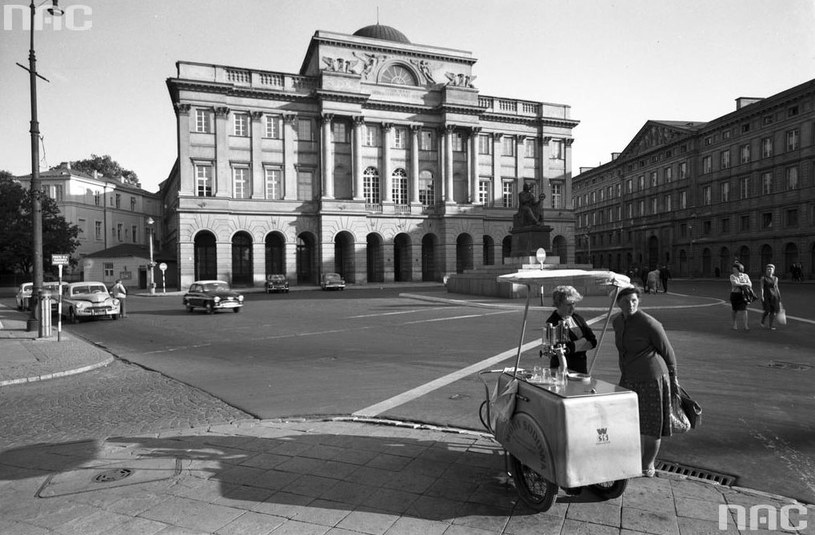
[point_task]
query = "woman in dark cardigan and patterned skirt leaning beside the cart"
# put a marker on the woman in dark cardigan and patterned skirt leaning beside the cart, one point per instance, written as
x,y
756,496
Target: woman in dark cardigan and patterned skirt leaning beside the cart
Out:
x,y
648,366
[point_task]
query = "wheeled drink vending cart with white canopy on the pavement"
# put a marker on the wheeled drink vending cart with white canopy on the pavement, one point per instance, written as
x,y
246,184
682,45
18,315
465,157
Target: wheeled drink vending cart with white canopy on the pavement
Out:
x,y
559,428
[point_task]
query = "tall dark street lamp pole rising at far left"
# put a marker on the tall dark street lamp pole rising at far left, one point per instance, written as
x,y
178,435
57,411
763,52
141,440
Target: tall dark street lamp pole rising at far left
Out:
x,y
36,186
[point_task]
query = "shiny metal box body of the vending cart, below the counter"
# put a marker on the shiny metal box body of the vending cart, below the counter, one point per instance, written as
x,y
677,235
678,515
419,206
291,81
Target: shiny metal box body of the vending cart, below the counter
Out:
x,y
579,434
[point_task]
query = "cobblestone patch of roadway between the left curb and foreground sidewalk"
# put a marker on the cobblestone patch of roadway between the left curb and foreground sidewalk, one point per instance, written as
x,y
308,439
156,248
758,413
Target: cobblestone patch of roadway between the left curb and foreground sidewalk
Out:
x,y
120,399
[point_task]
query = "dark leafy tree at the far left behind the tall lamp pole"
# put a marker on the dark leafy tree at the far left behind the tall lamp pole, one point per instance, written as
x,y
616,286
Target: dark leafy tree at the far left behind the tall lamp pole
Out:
x,y
58,236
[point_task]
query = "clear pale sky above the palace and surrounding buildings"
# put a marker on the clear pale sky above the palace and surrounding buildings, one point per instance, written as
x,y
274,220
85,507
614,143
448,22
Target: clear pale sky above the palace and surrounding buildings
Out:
x,y
617,63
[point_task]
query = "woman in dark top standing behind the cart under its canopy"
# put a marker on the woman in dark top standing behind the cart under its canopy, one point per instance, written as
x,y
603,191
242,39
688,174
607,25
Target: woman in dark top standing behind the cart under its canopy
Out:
x,y
581,337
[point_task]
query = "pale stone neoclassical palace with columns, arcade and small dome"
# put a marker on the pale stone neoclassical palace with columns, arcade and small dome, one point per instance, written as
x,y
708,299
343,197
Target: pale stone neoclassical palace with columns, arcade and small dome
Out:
x,y
379,160
